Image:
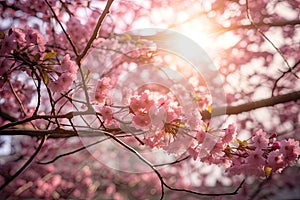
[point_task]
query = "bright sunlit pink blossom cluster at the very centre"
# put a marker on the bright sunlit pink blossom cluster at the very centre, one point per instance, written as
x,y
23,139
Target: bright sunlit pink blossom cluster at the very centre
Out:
x,y
159,116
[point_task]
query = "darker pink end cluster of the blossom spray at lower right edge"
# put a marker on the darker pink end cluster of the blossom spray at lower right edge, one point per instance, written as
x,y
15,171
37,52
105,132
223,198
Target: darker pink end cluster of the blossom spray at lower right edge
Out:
x,y
261,155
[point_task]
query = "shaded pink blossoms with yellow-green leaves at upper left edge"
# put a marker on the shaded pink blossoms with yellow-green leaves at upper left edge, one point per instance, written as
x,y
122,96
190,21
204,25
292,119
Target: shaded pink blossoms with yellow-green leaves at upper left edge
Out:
x,y
25,50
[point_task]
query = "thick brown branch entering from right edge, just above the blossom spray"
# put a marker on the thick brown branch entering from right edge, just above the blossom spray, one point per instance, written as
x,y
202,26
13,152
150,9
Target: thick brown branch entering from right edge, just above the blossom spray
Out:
x,y
231,110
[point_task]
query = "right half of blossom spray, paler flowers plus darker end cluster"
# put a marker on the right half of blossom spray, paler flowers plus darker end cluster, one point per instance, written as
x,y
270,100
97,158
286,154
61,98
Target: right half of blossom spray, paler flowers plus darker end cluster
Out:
x,y
258,156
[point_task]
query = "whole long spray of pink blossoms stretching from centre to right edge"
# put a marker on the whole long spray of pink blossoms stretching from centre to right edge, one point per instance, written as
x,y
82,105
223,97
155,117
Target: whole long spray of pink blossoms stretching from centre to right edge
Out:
x,y
166,125
